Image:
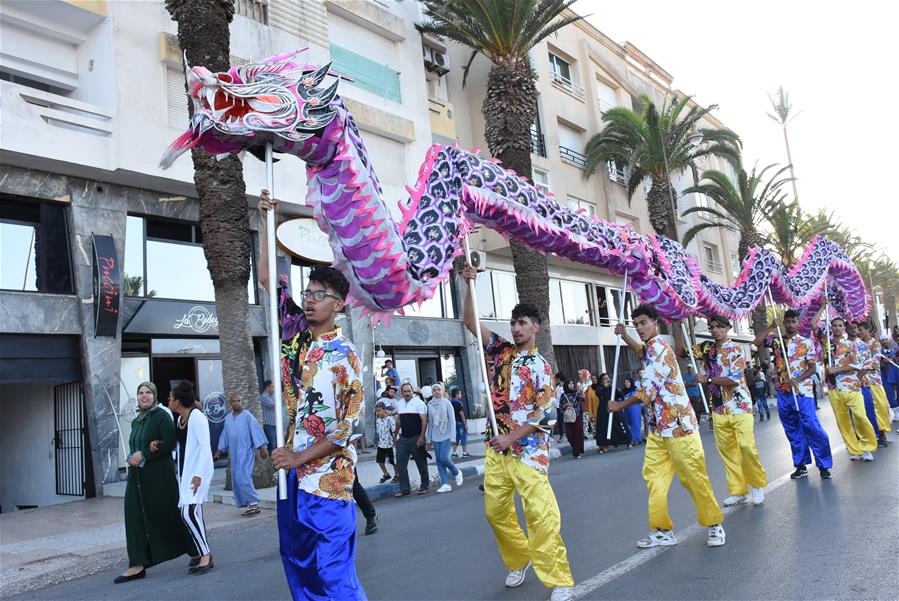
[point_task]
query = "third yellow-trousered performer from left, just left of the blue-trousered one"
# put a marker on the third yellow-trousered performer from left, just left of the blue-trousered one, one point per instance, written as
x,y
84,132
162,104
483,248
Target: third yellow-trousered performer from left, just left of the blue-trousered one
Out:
x,y
725,366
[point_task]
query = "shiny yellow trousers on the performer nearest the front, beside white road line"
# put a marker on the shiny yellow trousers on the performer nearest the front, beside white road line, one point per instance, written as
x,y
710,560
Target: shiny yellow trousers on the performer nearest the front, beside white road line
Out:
x,y
543,546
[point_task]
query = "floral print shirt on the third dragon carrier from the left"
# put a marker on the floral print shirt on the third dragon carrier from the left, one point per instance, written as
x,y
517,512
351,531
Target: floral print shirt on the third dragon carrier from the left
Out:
x,y
662,389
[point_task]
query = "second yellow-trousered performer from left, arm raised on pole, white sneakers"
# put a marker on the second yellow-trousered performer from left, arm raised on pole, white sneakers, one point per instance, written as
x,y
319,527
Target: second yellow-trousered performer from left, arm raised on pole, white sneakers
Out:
x,y
673,445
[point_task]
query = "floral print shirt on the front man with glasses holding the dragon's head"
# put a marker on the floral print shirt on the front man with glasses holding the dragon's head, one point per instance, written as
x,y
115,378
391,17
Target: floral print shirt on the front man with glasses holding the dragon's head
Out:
x,y
322,381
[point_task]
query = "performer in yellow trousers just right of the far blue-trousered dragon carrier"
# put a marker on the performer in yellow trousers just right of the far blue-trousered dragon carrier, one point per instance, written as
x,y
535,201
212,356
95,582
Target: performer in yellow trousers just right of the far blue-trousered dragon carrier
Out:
x,y
845,395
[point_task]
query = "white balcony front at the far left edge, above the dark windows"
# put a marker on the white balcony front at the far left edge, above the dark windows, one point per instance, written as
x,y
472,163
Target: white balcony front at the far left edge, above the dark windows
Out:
x,y
53,127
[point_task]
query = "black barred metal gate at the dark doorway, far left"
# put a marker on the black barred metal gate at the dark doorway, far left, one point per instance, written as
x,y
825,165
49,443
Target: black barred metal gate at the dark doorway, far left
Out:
x,y
68,409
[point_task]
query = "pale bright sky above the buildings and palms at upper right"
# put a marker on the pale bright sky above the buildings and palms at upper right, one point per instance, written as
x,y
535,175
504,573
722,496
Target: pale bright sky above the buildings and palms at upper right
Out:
x,y
836,61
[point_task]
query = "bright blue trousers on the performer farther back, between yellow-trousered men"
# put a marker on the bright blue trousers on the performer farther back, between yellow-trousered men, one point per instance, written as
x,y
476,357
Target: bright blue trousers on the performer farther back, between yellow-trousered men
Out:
x,y
803,430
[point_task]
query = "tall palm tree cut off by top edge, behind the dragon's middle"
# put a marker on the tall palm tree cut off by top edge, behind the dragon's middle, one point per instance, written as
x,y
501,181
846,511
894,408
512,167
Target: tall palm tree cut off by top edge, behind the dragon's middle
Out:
x,y
505,31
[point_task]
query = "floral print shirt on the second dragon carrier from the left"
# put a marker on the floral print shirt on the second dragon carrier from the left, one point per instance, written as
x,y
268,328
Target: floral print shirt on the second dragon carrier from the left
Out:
x,y
522,394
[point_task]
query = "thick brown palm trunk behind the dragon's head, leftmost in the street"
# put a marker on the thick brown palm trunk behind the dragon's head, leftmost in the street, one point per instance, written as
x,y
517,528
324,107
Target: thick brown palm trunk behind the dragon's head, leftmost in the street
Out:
x,y
203,34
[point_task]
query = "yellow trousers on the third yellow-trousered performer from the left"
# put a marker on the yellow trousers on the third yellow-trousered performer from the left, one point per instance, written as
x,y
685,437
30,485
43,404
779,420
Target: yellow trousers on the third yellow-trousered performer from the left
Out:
x,y
735,440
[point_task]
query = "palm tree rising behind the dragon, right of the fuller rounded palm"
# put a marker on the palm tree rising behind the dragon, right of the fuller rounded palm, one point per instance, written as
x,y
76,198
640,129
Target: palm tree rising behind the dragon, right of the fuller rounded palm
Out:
x,y
741,207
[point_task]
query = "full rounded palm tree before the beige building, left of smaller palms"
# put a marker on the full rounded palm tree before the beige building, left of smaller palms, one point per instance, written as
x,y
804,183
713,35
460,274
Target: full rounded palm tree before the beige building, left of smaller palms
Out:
x,y
654,144
